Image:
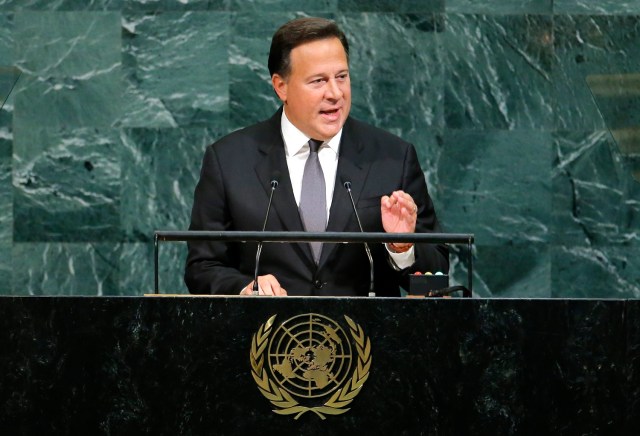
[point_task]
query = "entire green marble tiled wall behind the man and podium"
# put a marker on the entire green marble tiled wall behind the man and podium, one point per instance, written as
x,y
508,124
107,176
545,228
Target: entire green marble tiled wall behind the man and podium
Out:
x,y
102,138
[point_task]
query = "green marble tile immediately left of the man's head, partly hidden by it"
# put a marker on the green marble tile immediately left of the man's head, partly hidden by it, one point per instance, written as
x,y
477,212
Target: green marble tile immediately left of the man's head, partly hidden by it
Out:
x,y
251,96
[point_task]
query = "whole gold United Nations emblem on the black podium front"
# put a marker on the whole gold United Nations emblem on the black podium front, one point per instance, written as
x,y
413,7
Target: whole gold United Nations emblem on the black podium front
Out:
x,y
307,364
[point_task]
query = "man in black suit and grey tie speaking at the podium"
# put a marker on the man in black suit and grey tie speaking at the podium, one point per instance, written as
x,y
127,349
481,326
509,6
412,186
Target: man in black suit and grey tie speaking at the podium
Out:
x,y
311,143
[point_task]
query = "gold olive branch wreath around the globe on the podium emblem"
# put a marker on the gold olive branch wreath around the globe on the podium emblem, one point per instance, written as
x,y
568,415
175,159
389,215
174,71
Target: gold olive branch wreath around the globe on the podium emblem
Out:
x,y
283,401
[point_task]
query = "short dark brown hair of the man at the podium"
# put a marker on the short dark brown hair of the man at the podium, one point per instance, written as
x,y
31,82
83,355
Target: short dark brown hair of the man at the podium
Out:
x,y
297,32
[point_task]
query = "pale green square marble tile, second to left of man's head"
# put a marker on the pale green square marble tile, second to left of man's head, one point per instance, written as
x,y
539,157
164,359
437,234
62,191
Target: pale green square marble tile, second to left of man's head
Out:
x,y
176,65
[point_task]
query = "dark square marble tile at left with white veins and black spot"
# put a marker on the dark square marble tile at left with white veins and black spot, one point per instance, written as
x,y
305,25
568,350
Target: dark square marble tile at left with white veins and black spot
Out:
x,y
67,185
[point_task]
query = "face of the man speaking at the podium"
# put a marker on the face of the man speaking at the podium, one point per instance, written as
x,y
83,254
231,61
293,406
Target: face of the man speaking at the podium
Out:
x,y
317,91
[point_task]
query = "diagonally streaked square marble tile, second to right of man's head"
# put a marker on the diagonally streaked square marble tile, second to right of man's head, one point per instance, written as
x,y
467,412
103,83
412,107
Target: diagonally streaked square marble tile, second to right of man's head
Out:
x,y
498,71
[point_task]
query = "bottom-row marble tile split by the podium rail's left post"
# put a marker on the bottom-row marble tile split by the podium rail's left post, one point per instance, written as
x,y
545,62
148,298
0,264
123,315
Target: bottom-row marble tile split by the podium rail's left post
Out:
x,y
137,268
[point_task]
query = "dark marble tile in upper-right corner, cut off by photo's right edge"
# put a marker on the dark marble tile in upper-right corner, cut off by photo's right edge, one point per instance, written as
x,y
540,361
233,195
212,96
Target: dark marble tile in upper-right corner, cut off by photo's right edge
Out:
x,y
587,45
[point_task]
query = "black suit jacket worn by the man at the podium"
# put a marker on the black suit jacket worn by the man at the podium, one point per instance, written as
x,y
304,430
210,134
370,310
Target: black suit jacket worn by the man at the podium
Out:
x,y
233,193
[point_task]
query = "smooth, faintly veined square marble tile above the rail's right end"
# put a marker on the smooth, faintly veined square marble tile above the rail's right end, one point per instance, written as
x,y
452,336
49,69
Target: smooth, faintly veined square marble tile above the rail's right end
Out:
x,y
496,184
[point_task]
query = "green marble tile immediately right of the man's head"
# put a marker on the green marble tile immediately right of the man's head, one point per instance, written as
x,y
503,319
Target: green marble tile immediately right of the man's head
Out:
x,y
396,69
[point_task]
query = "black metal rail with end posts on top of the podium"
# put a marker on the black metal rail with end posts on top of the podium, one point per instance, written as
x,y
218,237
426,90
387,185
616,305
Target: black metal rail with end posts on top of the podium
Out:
x,y
334,237
